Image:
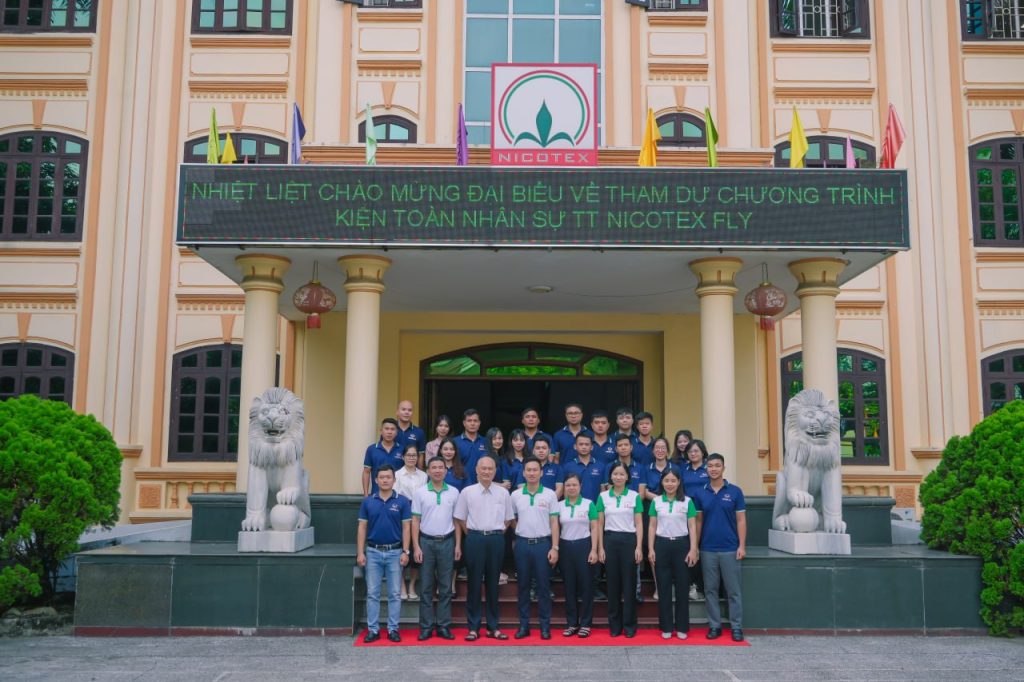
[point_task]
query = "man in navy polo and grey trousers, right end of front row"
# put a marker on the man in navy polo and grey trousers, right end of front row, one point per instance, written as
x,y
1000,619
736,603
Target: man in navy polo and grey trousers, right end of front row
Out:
x,y
722,529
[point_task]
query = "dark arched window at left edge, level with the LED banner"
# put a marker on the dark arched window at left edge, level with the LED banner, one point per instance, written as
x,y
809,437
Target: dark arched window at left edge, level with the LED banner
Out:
x,y
12,160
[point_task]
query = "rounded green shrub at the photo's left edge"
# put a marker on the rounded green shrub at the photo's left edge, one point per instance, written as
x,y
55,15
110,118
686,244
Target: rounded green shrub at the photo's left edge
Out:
x,y
60,474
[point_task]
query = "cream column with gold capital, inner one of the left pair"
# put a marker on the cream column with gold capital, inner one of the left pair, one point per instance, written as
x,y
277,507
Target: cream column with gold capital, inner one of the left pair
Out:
x,y
364,286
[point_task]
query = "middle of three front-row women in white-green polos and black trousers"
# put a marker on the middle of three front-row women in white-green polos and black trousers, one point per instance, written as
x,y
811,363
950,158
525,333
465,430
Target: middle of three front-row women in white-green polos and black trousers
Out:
x,y
621,548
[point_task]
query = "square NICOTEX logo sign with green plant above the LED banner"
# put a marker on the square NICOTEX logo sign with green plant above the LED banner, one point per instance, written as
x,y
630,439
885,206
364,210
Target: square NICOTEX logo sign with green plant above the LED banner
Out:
x,y
544,115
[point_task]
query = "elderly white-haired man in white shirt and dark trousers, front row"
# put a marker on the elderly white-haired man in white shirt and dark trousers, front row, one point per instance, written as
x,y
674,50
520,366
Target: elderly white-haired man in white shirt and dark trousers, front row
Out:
x,y
484,513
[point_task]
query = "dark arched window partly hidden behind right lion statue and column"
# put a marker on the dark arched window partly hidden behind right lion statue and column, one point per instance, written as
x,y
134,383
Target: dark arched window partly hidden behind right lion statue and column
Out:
x,y
859,377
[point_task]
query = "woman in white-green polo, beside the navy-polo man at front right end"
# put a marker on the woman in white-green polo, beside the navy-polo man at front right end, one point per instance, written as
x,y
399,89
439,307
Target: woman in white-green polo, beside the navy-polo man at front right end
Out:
x,y
673,524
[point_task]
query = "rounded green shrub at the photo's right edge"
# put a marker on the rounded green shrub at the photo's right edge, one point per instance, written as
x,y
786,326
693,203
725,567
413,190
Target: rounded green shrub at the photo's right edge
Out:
x,y
973,505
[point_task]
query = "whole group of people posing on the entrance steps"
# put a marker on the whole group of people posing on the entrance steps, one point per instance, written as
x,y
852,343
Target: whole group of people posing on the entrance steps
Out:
x,y
584,501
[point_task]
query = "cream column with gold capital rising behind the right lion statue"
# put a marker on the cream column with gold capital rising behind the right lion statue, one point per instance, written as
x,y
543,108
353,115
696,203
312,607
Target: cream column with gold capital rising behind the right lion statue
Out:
x,y
818,286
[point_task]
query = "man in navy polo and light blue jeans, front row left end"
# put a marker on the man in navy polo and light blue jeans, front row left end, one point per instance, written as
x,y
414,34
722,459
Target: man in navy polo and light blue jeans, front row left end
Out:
x,y
382,548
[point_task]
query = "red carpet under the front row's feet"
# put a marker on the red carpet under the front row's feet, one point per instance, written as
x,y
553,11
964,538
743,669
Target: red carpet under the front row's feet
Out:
x,y
599,637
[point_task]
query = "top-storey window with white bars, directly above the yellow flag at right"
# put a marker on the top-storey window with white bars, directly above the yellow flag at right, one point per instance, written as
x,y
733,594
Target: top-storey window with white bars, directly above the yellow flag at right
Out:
x,y
821,19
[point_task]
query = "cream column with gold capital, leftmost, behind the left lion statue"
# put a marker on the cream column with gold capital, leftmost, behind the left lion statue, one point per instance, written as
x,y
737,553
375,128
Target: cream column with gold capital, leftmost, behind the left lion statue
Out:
x,y
262,280
